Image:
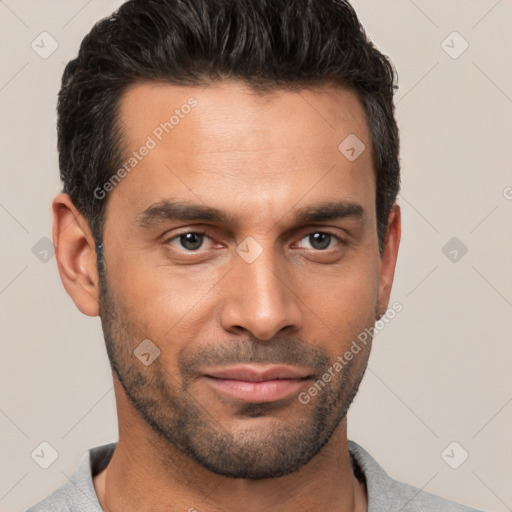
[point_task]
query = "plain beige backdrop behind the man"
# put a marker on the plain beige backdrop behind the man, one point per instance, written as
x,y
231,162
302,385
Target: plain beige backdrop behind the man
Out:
x,y
440,371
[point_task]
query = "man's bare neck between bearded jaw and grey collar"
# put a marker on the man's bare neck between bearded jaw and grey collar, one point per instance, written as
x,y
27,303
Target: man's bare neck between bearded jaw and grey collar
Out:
x,y
148,473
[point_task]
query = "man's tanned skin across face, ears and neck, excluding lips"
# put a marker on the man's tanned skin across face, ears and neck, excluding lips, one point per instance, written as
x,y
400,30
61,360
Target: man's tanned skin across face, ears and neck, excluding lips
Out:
x,y
183,445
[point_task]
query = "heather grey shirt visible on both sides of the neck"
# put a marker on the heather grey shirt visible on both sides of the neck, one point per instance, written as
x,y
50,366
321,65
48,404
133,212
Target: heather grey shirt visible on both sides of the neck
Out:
x,y
384,493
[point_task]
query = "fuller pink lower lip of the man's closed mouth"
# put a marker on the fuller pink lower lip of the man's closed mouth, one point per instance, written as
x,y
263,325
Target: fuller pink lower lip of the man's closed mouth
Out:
x,y
265,391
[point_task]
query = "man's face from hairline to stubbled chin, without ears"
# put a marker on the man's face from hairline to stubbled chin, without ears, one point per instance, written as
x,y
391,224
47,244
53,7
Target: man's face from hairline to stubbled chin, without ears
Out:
x,y
284,273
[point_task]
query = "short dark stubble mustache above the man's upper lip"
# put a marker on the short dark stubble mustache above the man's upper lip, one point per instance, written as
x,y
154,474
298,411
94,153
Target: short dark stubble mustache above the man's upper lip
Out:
x,y
282,351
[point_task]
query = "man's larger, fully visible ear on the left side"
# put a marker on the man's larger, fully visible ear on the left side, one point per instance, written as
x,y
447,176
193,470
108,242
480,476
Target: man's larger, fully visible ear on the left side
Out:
x,y
76,255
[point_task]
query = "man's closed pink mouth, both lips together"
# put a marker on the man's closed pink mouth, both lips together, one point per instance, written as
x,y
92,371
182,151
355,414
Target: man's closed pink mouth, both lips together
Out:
x,y
259,384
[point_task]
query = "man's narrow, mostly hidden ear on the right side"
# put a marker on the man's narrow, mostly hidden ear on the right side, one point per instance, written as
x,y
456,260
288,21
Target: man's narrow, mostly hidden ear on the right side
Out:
x,y
388,258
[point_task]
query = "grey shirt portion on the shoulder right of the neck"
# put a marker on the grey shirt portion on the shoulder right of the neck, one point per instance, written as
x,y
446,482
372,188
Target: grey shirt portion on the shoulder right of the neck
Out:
x,y
385,493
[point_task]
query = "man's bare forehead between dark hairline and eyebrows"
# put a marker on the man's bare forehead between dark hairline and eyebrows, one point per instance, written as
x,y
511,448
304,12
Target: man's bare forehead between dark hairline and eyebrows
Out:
x,y
209,141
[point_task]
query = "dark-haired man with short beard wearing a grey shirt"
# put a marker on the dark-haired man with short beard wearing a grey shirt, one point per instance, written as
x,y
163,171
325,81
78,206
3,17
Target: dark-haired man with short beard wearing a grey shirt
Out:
x,y
230,173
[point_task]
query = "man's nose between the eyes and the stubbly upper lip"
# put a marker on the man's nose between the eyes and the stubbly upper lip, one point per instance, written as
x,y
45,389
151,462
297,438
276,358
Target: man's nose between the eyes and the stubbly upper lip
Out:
x,y
259,299
